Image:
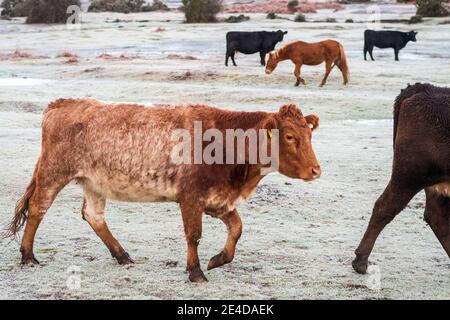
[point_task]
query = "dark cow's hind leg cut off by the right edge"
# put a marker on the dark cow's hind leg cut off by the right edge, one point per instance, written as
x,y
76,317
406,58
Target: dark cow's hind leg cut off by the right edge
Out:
x,y
437,215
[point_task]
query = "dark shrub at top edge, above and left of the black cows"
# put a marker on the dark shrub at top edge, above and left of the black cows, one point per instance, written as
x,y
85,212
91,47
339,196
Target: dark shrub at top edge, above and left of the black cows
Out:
x,y
201,10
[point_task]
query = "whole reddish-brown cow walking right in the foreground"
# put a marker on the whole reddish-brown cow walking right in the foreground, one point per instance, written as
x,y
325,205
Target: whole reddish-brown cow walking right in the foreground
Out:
x,y
123,152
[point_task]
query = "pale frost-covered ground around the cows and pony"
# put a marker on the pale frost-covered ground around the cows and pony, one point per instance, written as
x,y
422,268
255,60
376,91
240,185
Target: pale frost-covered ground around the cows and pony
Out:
x,y
298,238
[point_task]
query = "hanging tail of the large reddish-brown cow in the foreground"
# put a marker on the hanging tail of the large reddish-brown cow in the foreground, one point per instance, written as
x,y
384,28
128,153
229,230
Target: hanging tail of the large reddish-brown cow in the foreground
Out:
x,y
21,209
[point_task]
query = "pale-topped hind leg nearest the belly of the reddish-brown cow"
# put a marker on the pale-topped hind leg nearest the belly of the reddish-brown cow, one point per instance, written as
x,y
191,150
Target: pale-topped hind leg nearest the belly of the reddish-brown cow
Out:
x,y
93,213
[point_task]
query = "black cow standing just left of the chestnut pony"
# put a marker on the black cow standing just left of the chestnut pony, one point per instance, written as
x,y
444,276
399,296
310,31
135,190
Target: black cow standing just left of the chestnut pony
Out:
x,y
252,42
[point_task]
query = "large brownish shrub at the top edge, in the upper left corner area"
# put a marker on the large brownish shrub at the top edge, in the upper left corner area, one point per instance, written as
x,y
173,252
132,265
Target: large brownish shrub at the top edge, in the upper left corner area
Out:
x,y
48,11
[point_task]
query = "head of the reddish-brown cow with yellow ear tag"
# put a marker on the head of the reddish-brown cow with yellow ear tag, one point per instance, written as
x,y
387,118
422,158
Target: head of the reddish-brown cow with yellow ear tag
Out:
x,y
296,155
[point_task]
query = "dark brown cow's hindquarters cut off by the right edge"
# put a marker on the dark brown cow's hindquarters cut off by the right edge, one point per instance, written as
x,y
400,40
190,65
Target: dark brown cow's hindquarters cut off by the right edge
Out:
x,y
421,161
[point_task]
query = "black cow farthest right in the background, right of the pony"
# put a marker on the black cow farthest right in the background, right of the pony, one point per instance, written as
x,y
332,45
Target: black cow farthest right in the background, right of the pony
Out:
x,y
386,39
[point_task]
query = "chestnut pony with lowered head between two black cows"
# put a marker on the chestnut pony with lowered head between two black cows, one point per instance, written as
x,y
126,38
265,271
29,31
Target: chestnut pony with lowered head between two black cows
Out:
x,y
312,54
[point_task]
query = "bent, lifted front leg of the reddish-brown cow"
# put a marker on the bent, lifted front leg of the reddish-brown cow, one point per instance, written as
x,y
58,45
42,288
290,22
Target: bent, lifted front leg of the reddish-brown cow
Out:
x,y
234,225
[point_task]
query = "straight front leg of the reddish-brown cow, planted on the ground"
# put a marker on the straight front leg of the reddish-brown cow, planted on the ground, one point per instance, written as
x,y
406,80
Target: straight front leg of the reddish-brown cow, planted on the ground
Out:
x,y
192,221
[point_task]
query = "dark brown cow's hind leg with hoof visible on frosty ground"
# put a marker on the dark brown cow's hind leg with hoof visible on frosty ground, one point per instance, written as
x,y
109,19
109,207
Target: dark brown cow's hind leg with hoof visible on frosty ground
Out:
x,y
393,200
